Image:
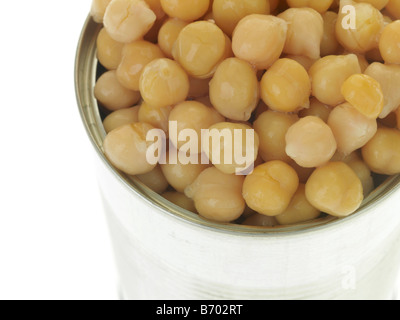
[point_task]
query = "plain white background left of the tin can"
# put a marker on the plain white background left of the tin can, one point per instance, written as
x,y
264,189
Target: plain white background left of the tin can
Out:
x,y
54,241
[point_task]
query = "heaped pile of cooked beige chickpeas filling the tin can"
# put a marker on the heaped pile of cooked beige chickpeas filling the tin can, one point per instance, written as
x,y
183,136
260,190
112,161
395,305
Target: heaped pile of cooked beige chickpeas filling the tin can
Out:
x,y
322,99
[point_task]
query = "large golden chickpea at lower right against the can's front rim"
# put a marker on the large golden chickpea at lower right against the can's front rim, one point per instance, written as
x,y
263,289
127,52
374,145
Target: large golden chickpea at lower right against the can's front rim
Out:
x,y
335,189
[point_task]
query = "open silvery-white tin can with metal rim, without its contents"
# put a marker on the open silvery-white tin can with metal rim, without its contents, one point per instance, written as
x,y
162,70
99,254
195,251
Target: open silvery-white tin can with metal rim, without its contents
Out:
x,y
164,252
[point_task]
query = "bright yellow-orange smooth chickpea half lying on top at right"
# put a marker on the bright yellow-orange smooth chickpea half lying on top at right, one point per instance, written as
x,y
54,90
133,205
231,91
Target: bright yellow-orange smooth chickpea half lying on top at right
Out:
x,y
365,94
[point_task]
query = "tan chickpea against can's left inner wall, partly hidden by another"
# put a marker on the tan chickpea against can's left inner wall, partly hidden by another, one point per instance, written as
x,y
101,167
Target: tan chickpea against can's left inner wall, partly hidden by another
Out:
x,y
112,95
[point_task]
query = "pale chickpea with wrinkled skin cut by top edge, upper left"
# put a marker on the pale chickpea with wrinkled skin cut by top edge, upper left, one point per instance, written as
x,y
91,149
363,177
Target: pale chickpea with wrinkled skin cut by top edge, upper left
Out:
x,y
128,20
